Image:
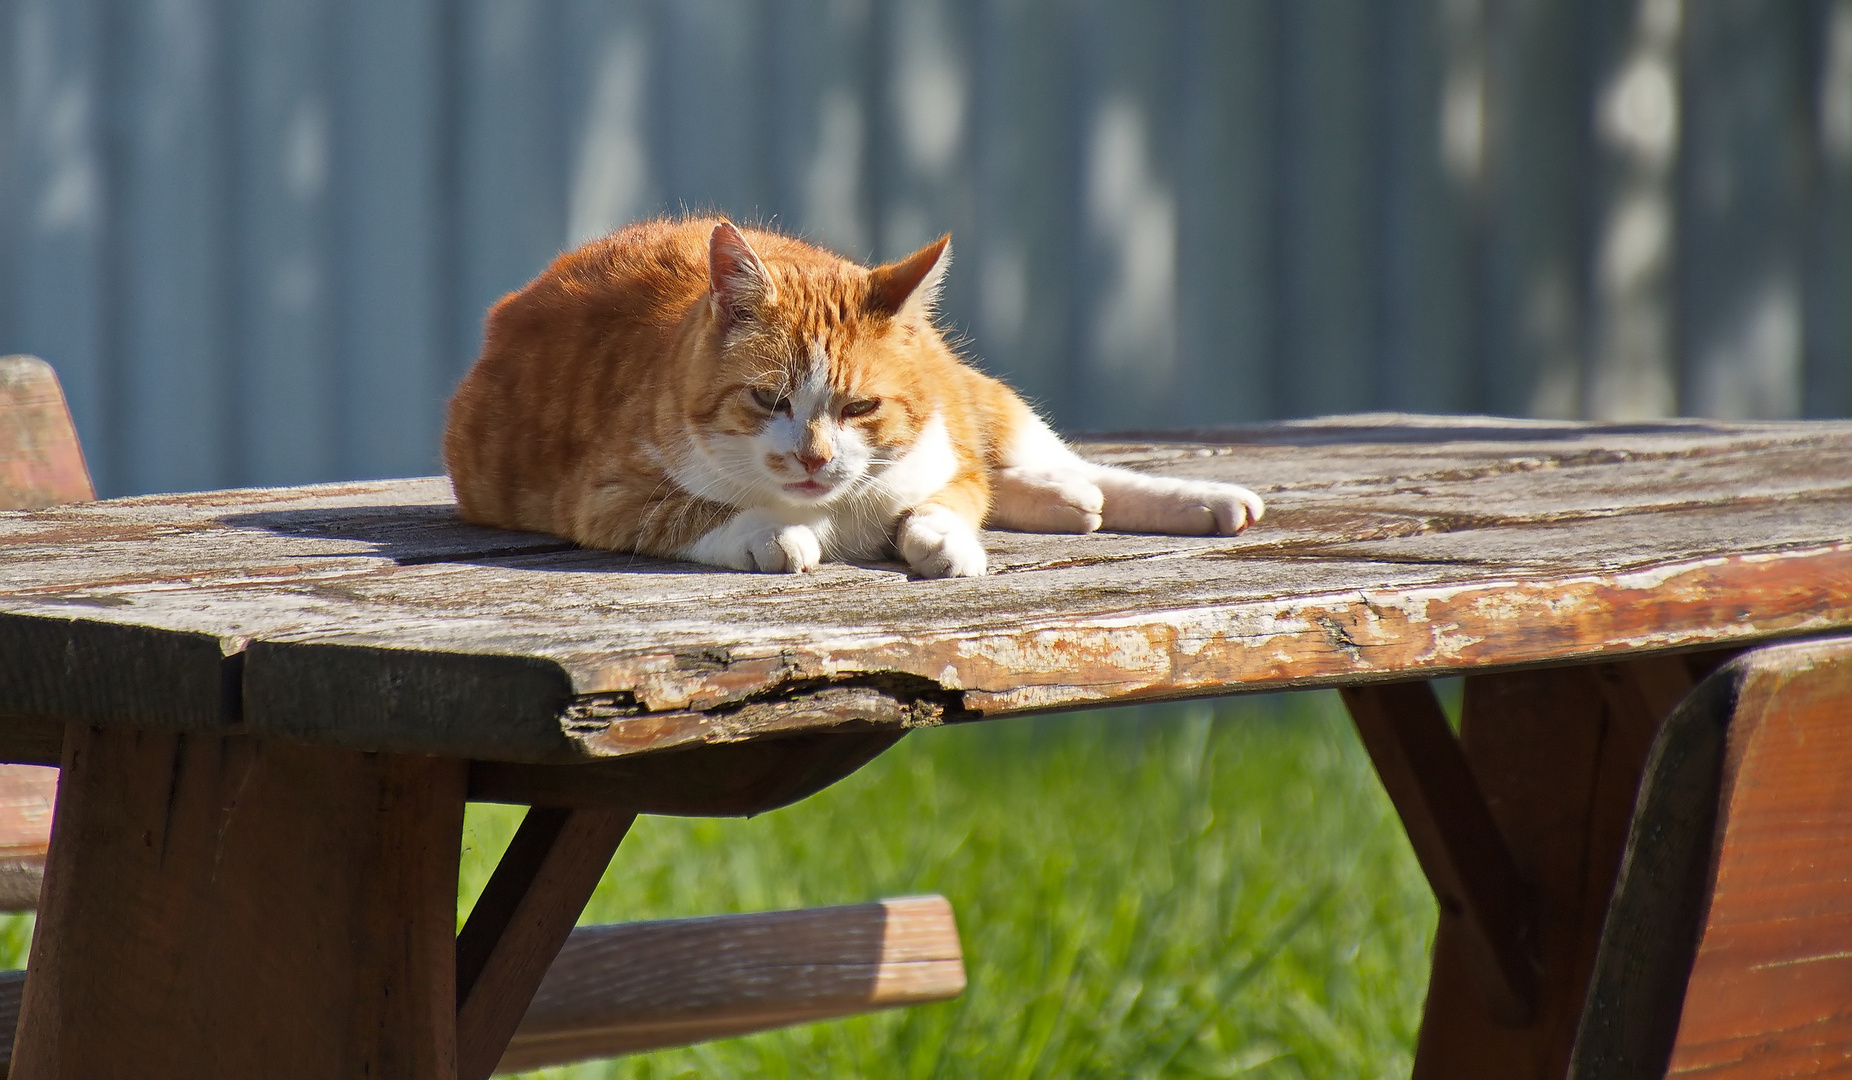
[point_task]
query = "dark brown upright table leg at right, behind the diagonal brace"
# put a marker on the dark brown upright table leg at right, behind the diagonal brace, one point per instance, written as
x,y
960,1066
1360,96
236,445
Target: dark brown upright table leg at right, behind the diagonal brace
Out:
x,y
1558,755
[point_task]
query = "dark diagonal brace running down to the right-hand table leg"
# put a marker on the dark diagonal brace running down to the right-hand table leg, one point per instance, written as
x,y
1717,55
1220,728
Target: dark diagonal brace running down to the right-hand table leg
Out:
x,y
1479,886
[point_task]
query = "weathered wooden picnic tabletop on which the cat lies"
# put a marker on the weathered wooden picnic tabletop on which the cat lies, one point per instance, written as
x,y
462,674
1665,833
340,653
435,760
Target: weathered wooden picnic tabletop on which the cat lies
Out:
x,y
369,616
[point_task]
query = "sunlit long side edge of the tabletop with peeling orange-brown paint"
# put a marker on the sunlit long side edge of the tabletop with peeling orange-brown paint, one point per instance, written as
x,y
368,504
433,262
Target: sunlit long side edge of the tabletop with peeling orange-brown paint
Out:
x,y
1294,644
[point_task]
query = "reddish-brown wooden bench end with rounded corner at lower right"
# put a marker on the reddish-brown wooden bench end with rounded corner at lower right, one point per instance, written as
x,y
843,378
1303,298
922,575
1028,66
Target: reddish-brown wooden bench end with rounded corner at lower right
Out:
x,y
1729,942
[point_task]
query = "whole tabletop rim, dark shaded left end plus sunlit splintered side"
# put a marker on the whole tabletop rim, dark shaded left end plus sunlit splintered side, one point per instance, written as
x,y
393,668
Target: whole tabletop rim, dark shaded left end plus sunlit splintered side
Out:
x,y
529,709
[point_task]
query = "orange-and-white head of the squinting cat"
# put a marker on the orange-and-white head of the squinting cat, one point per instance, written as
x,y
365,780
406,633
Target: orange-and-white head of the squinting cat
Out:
x,y
821,377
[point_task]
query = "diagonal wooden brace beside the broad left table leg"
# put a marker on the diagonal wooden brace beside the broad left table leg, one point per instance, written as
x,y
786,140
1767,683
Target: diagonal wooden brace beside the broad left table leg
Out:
x,y
523,920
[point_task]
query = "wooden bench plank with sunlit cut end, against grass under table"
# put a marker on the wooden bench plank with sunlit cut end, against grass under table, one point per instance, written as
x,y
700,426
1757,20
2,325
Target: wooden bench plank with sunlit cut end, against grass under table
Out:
x,y
640,986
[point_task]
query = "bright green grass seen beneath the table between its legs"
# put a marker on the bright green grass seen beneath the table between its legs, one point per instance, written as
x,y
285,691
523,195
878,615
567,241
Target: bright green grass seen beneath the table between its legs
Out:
x,y
1210,890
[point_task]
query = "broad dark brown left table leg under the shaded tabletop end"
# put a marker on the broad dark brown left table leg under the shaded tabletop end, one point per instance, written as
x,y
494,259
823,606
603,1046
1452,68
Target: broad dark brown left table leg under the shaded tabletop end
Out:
x,y
236,907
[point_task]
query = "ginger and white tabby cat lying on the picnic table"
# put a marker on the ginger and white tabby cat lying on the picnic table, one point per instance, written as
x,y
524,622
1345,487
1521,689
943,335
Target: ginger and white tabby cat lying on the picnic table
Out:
x,y
744,399
